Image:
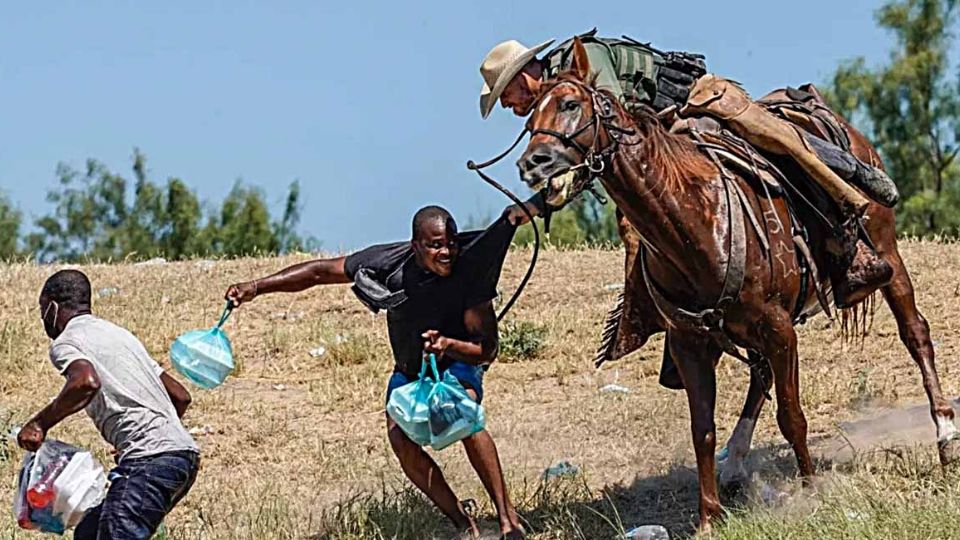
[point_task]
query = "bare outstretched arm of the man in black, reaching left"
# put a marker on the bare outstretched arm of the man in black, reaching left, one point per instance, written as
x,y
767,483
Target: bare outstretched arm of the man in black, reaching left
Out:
x,y
295,278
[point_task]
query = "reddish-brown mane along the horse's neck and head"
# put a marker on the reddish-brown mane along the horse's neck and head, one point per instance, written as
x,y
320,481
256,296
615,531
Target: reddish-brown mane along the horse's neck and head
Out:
x,y
672,159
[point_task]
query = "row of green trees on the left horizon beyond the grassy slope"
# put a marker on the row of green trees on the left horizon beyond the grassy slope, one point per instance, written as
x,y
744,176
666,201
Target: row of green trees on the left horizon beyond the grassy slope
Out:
x,y
94,218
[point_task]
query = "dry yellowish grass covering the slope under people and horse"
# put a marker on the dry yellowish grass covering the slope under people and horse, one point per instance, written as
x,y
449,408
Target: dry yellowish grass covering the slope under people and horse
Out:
x,y
298,447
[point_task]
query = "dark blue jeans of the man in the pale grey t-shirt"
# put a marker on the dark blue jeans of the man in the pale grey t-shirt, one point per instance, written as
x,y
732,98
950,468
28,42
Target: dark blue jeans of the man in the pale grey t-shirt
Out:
x,y
142,492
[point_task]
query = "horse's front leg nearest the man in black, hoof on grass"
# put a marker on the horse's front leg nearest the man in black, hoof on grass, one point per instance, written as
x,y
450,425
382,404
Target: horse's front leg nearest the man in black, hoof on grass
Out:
x,y
696,357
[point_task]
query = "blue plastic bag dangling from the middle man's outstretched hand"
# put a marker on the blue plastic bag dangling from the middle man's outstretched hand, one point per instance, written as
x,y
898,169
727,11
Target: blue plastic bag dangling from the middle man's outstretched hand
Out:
x,y
204,357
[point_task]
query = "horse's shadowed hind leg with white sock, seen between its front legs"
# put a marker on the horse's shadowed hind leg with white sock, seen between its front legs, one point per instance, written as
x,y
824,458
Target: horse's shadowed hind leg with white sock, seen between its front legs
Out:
x,y
733,473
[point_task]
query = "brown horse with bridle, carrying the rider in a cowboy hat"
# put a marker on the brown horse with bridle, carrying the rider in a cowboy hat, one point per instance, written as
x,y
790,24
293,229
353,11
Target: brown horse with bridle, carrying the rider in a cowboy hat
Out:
x,y
689,215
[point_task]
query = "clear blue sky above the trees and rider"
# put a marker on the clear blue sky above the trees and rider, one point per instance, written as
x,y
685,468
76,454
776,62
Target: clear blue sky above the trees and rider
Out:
x,y
372,106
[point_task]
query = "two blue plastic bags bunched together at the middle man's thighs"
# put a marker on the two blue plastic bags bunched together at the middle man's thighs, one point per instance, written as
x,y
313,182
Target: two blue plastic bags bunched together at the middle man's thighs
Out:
x,y
435,411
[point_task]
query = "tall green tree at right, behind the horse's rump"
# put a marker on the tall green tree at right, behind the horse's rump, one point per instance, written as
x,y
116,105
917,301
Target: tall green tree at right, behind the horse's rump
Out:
x,y
910,109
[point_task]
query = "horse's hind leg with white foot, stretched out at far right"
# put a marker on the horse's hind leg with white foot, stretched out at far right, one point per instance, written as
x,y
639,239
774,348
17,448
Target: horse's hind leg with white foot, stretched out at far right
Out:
x,y
915,334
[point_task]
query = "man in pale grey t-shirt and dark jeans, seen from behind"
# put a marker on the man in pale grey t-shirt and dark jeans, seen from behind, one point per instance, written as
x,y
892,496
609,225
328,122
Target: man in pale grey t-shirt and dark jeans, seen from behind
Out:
x,y
135,405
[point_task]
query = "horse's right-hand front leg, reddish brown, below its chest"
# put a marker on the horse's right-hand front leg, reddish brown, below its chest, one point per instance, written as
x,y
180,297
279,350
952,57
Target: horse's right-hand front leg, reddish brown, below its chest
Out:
x,y
781,349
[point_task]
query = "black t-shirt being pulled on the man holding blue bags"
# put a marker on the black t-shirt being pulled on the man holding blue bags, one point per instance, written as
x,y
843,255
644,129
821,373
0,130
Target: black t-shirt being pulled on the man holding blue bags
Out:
x,y
434,302
